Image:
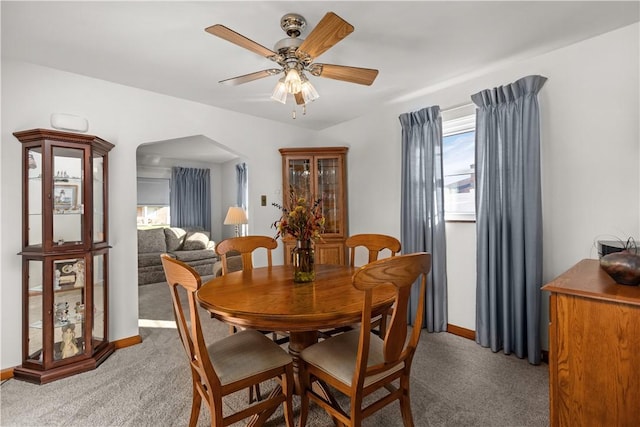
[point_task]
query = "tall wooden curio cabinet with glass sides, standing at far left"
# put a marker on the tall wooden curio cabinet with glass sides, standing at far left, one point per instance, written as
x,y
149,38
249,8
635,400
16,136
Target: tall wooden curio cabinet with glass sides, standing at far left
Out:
x,y
65,254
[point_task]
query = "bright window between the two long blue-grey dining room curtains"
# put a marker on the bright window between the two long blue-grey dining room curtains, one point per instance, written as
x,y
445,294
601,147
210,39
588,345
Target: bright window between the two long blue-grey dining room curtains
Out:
x,y
459,168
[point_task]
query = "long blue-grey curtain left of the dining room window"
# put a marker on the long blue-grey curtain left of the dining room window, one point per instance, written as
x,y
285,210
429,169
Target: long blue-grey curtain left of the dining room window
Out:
x,y
422,210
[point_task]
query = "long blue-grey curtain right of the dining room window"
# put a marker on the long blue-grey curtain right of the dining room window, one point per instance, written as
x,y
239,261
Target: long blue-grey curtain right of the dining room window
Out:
x,y
509,218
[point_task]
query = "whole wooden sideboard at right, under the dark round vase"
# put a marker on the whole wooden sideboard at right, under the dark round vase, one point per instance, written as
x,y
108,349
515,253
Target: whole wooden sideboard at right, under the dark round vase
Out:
x,y
594,349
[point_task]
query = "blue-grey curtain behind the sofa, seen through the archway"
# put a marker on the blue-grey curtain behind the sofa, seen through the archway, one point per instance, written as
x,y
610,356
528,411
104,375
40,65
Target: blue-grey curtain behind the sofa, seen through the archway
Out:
x,y
190,198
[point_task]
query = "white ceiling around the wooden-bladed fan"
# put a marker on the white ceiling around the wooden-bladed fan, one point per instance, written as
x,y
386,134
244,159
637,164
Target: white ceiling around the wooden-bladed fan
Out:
x,y
416,45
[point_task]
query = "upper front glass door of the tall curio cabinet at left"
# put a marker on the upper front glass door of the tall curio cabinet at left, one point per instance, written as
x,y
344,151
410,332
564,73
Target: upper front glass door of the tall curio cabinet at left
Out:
x,y
68,190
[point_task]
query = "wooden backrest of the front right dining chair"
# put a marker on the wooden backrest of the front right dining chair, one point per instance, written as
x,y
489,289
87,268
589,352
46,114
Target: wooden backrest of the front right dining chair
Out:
x,y
401,272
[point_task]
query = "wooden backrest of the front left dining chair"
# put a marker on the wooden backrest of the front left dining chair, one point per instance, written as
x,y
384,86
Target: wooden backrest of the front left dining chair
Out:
x,y
179,274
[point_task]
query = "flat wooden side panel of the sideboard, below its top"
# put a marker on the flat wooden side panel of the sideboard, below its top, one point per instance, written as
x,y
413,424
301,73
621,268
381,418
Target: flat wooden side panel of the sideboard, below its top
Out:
x,y
597,357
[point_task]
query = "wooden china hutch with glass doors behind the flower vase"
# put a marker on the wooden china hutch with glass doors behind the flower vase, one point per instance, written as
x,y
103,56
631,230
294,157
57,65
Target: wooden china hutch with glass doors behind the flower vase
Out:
x,y
320,172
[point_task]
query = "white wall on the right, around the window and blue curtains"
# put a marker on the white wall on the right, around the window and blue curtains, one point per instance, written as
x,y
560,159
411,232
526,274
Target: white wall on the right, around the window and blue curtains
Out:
x,y
590,151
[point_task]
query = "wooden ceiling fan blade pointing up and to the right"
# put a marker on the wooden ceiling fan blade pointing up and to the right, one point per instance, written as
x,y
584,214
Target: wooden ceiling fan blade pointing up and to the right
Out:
x,y
329,31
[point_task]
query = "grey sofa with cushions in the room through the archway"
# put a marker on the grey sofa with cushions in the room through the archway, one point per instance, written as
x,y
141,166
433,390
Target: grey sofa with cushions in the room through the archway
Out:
x,y
193,247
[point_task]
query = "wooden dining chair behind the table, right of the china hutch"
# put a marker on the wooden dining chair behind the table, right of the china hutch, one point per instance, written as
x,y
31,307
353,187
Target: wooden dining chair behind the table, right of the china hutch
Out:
x,y
375,244
